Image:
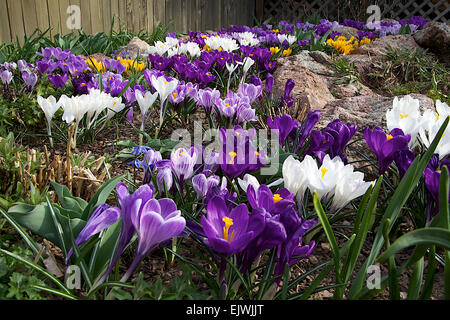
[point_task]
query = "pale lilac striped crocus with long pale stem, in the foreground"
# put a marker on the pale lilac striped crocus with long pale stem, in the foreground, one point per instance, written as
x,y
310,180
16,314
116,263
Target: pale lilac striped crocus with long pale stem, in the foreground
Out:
x,y
155,221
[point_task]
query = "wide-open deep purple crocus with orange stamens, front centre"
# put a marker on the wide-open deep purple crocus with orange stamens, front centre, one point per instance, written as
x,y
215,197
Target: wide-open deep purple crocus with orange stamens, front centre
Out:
x,y
226,230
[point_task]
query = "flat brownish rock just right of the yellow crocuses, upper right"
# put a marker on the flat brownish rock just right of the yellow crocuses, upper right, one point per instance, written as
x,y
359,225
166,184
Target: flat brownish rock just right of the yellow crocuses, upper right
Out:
x,y
378,47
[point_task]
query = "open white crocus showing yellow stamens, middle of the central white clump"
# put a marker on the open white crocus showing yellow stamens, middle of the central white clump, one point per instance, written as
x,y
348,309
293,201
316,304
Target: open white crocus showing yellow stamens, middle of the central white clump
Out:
x,y
323,179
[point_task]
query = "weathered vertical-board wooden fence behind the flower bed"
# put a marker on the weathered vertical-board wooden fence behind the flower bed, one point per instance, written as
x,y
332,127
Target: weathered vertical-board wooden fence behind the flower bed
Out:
x,y
19,17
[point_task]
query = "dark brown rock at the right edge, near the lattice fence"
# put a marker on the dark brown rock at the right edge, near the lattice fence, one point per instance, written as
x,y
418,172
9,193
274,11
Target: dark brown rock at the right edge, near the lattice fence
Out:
x,y
435,36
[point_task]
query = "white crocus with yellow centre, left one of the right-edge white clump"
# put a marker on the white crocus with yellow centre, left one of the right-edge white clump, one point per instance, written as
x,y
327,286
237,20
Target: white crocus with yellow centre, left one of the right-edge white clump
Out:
x,y
405,115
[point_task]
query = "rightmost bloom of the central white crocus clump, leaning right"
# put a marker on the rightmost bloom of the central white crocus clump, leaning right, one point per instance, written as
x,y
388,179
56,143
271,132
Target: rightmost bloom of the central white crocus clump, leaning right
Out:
x,y
350,185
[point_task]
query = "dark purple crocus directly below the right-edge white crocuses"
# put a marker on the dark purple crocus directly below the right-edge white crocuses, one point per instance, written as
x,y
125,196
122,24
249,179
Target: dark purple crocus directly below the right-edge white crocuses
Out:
x,y
386,146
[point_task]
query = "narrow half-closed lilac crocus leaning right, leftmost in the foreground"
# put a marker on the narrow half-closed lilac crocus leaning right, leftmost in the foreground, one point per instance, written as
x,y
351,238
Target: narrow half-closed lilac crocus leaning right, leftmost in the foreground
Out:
x,y
103,217
